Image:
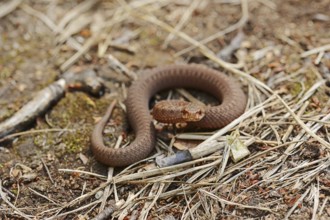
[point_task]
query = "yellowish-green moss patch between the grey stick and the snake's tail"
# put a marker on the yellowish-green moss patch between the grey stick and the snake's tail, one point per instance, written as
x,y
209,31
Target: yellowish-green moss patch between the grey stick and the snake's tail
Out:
x,y
74,111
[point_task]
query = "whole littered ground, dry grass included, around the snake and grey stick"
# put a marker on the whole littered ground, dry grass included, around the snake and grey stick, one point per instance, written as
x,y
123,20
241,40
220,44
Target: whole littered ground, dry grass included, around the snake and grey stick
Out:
x,y
52,174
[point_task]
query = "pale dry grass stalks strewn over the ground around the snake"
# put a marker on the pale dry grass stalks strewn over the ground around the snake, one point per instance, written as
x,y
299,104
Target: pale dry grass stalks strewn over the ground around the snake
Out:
x,y
287,170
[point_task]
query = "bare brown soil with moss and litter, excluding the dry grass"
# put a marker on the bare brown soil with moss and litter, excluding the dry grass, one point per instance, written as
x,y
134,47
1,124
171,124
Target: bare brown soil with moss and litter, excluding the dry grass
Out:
x,y
32,56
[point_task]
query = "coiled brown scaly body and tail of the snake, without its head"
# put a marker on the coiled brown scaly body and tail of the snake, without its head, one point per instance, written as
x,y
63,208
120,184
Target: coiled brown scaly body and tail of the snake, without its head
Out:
x,y
227,91
